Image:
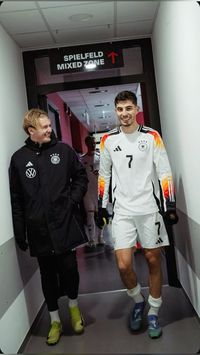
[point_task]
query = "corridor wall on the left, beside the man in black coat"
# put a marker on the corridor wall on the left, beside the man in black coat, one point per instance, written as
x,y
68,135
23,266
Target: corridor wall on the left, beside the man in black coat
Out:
x,y
17,313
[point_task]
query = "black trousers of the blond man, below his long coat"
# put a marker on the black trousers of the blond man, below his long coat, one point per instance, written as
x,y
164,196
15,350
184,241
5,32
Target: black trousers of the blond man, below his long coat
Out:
x,y
59,277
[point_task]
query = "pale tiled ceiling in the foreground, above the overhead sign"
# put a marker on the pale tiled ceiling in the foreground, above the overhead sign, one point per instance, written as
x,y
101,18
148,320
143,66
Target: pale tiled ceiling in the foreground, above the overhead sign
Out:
x,y
42,24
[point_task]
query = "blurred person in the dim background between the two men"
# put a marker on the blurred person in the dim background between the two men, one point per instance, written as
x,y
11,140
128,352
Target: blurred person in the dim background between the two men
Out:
x,y
91,161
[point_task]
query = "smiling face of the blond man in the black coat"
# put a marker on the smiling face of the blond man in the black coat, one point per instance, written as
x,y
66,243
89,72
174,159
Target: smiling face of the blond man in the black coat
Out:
x,y
41,133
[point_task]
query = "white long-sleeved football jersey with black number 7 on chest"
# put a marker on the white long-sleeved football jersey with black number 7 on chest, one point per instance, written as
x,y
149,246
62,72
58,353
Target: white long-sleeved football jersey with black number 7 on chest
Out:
x,y
133,160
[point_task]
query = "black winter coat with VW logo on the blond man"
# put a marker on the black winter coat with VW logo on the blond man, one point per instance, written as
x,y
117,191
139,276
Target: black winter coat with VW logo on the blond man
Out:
x,y
47,184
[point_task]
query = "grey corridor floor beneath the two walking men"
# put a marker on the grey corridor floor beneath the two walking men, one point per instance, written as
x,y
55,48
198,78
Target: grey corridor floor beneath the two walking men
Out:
x,y
106,306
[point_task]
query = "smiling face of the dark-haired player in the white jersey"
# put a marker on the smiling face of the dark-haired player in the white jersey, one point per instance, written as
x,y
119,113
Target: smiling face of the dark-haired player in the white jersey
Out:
x,y
126,112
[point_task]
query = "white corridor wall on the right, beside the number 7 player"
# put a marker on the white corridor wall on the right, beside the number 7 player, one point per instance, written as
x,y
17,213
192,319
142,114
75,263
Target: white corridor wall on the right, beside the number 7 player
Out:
x,y
176,52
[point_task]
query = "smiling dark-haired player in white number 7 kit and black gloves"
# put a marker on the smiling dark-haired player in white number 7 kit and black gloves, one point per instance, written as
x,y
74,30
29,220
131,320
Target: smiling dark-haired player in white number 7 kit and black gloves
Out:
x,y
135,154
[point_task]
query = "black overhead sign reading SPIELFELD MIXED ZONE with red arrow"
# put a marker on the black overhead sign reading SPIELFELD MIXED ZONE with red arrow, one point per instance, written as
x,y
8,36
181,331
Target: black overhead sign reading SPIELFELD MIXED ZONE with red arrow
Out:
x,y
85,58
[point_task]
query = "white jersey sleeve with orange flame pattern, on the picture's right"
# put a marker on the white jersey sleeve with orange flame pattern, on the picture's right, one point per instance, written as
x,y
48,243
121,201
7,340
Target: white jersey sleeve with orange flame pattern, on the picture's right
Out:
x,y
164,173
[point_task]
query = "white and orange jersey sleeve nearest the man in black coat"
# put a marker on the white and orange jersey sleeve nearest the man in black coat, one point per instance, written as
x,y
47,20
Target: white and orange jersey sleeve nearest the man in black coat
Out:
x,y
104,173
